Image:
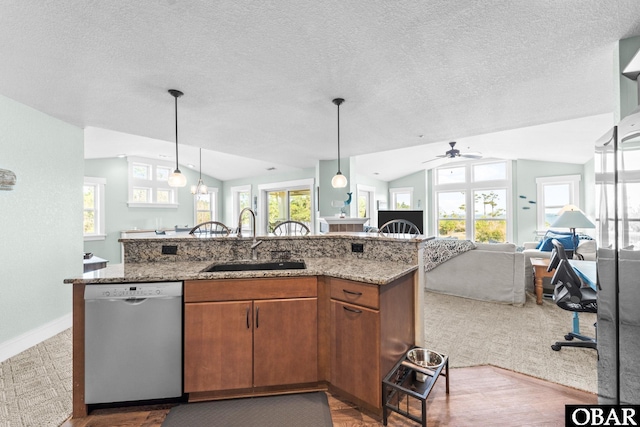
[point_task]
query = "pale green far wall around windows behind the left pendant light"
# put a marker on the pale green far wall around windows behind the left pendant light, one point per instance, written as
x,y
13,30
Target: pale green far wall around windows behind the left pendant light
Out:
x,y
120,217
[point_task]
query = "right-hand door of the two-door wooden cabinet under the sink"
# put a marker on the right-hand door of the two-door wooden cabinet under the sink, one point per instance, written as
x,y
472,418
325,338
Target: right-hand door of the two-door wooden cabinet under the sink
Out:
x,y
285,341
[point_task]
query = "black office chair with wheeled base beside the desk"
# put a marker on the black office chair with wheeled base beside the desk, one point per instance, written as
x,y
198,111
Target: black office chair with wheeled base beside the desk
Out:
x,y
570,295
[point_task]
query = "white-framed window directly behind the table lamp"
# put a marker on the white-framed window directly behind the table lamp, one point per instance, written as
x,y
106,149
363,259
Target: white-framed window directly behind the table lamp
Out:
x,y
554,192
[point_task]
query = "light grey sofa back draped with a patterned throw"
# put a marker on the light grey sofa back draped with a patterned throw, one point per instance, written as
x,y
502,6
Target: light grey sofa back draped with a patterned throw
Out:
x,y
488,272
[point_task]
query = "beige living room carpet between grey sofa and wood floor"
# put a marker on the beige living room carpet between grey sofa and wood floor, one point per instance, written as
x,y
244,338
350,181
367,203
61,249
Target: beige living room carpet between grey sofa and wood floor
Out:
x,y
517,338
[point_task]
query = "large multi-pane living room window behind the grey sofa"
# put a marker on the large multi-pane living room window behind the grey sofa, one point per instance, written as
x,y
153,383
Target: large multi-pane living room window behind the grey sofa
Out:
x,y
484,186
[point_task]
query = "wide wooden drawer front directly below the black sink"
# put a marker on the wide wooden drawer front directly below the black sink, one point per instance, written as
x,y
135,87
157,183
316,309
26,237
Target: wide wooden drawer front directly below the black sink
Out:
x,y
250,289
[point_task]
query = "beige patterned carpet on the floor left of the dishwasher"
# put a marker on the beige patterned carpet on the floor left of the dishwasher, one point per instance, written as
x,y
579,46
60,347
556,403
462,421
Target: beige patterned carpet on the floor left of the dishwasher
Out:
x,y
35,385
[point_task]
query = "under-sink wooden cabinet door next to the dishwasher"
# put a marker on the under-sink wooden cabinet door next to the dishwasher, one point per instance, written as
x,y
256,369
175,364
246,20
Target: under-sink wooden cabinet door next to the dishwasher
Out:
x,y
217,346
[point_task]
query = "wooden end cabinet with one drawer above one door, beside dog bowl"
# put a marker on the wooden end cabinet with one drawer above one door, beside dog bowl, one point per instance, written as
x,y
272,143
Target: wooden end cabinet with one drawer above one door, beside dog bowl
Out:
x,y
371,328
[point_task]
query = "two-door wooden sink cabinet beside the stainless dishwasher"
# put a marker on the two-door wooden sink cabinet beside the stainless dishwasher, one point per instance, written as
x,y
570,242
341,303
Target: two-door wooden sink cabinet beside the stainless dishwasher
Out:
x,y
232,342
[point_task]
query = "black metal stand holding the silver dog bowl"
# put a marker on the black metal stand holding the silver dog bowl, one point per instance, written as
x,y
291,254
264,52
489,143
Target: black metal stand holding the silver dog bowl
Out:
x,y
402,381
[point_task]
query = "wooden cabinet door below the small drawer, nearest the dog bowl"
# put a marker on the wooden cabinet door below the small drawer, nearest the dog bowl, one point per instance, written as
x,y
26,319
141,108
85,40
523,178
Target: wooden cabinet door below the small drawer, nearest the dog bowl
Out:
x,y
355,357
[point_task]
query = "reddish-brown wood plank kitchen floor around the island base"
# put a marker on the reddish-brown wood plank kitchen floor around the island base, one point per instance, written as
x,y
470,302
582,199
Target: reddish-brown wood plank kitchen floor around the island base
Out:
x,y
483,395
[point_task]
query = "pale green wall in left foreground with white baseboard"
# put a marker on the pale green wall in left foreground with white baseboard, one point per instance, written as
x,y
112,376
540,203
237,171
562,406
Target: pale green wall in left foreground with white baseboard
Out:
x,y
41,218
